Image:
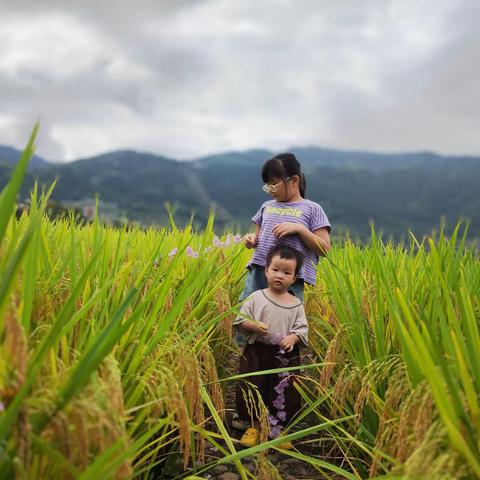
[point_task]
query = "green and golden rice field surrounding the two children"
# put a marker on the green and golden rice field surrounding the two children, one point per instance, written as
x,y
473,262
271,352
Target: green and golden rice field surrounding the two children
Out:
x,y
116,354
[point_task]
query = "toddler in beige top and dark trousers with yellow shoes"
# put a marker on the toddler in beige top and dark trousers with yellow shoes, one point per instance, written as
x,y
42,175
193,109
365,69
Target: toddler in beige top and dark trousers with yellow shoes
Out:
x,y
274,324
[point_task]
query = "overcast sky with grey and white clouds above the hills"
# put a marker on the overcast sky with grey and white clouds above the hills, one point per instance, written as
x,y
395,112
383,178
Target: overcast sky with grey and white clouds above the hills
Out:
x,y
185,78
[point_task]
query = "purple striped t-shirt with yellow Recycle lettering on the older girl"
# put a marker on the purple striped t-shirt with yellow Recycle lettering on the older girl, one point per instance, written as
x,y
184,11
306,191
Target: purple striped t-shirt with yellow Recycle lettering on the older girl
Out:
x,y
271,213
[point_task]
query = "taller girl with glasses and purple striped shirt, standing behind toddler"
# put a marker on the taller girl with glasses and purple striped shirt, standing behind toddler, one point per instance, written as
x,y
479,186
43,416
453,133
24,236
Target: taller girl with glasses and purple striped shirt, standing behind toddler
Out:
x,y
291,219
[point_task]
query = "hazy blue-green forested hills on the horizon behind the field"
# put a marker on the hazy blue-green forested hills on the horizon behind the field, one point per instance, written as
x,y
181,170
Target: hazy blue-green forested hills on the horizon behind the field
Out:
x,y
397,191
